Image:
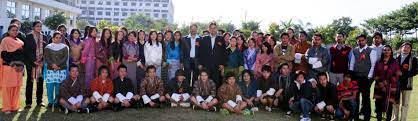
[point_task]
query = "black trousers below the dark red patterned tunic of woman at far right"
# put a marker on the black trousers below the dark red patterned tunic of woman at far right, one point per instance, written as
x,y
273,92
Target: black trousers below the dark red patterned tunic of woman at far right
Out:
x,y
380,108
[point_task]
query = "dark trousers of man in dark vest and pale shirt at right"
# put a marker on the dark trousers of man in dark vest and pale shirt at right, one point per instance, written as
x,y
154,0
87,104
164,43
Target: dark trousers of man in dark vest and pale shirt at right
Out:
x,y
364,89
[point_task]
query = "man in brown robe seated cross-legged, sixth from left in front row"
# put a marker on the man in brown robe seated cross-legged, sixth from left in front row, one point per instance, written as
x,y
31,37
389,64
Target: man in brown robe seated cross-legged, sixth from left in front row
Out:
x,y
204,92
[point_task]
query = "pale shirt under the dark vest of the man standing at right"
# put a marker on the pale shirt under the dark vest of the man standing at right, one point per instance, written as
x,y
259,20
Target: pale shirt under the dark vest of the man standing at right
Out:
x,y
373,59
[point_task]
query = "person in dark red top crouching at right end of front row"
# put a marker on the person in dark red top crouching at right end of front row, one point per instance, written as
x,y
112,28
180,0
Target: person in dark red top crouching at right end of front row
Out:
x,y
347,92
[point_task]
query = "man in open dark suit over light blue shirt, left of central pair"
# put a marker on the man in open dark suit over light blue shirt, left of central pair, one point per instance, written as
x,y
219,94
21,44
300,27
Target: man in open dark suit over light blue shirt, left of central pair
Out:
x,y
189,56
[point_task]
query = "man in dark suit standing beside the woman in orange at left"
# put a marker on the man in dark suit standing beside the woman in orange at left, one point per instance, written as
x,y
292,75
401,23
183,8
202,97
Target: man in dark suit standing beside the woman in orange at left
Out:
x,y
34,44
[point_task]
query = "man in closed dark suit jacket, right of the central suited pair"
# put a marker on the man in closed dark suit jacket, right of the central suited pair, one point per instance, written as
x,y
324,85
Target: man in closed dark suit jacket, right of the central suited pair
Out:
x,y
212,54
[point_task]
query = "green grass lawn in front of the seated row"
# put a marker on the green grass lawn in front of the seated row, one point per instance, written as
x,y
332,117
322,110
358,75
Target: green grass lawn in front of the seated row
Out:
x,y
165,114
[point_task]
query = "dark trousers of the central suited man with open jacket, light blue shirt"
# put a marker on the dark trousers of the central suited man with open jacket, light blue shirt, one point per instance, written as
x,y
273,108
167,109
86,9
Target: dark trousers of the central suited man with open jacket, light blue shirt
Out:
x,y
191,71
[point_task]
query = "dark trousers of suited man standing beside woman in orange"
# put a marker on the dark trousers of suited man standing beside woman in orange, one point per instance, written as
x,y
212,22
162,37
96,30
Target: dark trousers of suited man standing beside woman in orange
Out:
x,y
29,87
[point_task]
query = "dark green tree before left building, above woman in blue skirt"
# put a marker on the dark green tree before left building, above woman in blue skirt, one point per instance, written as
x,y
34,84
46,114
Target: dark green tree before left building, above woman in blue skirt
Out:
x,y
52,22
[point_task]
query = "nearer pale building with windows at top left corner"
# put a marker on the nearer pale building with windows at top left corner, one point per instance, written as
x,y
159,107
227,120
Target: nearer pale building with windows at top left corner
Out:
x,y
37,10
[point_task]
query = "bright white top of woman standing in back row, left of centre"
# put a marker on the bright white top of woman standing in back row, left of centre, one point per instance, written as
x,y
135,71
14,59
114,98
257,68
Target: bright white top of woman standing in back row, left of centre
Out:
x,y
153,54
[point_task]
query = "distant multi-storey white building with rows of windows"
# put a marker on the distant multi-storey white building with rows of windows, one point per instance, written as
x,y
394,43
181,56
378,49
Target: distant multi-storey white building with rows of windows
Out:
x,y
116,11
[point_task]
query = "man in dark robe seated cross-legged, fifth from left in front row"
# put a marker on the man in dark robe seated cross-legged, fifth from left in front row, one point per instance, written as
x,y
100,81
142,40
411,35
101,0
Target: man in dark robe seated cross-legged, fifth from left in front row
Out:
x,y
178,91
